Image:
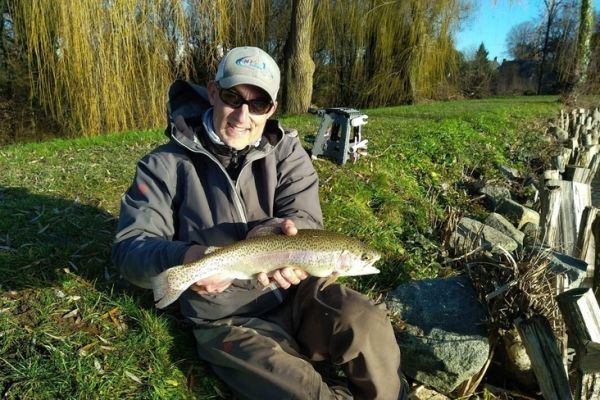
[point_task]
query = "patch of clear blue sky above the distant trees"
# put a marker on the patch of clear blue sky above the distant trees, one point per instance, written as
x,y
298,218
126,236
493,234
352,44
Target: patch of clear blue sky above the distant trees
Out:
x,y
491,21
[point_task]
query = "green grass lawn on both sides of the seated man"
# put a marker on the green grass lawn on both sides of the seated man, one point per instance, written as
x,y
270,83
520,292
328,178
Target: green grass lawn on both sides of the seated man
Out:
x,y
70,328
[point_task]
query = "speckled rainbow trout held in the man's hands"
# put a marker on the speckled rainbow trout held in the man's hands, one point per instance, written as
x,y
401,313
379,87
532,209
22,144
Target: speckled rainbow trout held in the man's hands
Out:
x,y
319,253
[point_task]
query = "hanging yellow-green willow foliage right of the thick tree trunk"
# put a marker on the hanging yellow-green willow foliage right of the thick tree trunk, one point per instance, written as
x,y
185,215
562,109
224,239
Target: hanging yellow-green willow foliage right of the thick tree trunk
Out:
x,y
382,52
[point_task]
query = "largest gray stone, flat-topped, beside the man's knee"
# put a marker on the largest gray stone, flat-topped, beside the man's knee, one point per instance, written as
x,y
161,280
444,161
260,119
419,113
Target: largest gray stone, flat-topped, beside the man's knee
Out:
x,y
443,342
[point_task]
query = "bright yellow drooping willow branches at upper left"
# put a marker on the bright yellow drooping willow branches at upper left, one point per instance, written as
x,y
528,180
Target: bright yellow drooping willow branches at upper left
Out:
x,y
99,66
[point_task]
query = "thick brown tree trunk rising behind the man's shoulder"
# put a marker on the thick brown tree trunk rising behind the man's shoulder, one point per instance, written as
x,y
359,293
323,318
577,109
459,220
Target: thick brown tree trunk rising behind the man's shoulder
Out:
x,y
298,64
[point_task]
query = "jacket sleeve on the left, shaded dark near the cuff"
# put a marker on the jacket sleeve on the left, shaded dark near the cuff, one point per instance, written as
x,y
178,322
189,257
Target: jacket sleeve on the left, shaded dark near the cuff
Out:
x,y
143,246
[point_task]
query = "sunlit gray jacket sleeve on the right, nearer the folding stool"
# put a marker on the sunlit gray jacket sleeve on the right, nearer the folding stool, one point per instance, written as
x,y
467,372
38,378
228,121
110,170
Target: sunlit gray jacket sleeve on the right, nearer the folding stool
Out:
x,y
297,192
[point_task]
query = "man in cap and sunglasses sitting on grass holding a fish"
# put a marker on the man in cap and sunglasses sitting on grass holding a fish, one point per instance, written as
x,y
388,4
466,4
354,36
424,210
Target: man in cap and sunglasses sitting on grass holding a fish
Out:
x,y
227,173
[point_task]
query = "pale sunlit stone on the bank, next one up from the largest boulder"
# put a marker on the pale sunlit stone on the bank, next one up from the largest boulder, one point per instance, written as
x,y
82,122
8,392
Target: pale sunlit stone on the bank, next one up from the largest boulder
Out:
x,y
470,234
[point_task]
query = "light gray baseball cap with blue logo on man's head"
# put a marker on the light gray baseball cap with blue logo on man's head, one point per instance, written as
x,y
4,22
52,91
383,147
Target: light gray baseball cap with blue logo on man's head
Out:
x,y
250,66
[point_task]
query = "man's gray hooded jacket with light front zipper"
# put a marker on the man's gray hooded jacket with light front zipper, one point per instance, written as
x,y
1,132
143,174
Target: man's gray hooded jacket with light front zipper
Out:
x,y
181,195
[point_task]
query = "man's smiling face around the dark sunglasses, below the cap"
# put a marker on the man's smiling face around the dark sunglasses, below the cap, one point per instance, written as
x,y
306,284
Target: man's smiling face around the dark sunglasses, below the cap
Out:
x,y
238,127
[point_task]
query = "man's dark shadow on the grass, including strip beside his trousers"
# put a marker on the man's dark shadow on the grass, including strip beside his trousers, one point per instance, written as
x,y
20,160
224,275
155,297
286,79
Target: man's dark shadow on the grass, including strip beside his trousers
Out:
x,y
46,241
